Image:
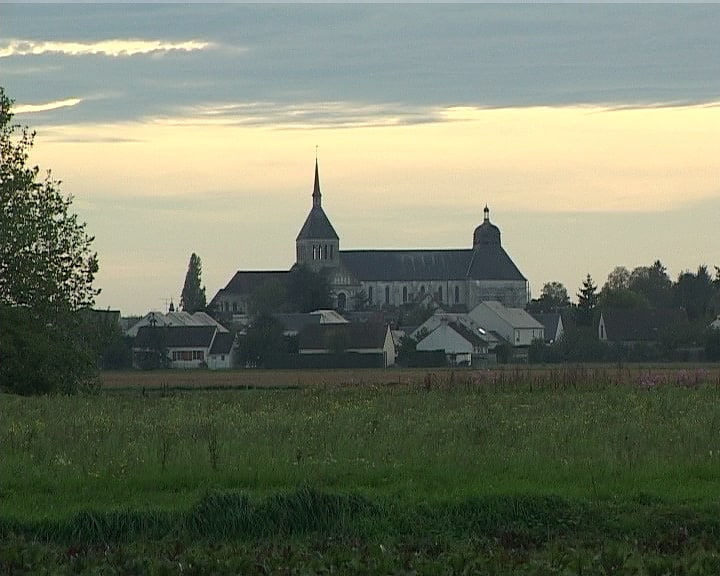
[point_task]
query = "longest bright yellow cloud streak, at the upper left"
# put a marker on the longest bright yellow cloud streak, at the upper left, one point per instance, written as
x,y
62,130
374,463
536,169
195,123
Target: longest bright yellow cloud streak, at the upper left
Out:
x,y
115,48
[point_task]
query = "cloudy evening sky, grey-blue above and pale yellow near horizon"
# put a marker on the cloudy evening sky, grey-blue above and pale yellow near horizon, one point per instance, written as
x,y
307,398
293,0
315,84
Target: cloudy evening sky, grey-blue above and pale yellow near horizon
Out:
x,y
592,132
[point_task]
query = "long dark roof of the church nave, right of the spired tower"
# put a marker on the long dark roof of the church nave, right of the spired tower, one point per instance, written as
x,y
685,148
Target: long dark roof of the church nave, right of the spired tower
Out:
x,y
488,262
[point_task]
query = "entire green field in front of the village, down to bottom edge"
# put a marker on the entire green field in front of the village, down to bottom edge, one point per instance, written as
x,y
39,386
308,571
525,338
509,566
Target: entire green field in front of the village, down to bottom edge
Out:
x,y
528,471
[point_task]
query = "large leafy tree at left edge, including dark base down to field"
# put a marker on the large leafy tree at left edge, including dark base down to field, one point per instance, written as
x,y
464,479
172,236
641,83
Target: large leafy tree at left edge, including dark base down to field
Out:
x,y
47,269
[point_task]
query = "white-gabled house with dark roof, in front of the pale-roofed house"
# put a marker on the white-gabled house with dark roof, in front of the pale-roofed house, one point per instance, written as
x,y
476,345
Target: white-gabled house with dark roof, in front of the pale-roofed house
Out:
x,y
460,344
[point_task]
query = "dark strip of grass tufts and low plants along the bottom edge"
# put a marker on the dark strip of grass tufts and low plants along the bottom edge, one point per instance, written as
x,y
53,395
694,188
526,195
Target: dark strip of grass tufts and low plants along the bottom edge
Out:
x,y
312,532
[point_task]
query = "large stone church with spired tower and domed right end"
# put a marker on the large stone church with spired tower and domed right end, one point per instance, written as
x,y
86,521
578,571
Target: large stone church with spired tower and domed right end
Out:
x,y
454,278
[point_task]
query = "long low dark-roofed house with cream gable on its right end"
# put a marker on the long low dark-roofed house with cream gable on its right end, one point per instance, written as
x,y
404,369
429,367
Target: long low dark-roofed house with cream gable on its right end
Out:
x,y
359,338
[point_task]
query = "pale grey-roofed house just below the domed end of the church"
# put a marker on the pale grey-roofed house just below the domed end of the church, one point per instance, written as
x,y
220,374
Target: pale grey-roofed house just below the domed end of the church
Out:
x,y
514,325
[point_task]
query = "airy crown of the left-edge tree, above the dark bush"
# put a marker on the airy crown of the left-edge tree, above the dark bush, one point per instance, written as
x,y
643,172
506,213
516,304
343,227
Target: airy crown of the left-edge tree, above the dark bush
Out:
x,y
46,258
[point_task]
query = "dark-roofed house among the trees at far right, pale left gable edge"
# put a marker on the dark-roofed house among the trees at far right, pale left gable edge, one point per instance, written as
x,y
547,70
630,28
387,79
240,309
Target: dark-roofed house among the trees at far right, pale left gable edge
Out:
x,y
633,326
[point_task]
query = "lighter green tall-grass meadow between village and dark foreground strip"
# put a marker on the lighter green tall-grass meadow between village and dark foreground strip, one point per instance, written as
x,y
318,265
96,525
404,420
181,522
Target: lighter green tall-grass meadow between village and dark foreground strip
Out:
x,y
598,434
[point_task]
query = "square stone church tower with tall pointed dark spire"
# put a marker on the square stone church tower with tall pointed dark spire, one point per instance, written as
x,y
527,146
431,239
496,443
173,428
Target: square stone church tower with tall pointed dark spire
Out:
x,y
317,245
